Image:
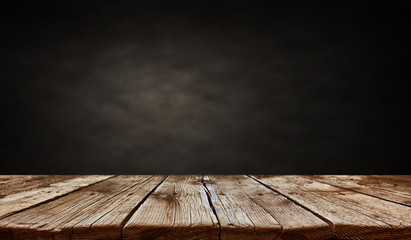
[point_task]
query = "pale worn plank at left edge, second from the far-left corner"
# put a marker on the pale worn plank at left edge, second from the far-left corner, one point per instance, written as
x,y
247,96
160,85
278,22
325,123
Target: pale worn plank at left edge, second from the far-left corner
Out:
x,y
21,200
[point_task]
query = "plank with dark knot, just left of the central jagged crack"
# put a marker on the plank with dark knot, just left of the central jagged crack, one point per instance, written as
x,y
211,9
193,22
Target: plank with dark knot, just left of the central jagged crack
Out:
x,y
178,209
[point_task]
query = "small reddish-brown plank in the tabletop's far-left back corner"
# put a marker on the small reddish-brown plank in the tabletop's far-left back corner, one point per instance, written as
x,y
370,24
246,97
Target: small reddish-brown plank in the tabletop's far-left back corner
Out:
x,y
12,184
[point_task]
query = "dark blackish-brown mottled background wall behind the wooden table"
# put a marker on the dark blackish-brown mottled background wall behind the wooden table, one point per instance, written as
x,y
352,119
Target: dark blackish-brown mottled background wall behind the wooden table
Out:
x,y
259,87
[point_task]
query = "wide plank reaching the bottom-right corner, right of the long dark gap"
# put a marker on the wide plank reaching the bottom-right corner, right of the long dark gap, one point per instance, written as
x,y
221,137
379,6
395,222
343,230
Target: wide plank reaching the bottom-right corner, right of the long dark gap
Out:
x,y
336,201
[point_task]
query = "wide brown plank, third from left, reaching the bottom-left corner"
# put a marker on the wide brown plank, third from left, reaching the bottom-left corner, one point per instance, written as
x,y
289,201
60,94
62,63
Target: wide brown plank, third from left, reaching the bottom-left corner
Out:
x,y
96,212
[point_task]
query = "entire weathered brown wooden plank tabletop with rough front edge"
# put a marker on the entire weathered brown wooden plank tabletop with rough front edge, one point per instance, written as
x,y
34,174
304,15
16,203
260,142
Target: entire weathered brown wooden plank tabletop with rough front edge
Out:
x,y
205,207
